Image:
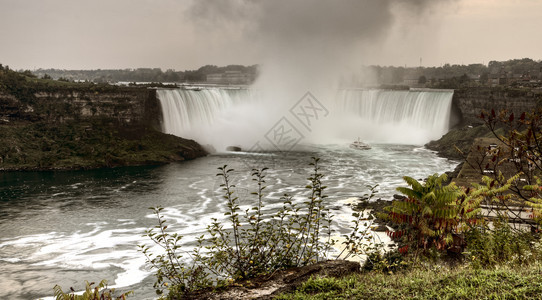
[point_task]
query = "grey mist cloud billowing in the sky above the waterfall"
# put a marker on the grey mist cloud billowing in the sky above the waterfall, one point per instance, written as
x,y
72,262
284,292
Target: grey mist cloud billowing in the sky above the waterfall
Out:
x,y
304,41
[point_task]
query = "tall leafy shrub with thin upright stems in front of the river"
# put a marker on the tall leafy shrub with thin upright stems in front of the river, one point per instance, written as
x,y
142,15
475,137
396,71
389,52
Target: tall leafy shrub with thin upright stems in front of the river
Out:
x,y
256,245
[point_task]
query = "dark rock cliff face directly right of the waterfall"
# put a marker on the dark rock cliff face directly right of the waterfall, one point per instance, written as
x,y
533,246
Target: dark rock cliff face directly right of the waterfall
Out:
x,y
470,102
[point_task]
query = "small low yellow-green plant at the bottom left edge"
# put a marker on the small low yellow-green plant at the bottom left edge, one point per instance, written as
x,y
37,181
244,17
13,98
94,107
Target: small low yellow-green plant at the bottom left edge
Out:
x,y
100,291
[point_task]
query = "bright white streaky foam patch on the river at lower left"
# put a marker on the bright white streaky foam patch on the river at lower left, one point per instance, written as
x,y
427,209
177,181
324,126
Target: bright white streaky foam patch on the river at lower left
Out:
x,y
97,249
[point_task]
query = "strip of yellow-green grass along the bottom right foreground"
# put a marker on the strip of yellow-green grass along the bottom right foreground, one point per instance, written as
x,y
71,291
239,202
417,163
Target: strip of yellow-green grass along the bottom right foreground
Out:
x,y
506,282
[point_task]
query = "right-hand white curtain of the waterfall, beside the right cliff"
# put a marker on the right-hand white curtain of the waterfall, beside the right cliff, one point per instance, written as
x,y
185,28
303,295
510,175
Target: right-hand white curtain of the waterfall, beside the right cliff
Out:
x,y
407,116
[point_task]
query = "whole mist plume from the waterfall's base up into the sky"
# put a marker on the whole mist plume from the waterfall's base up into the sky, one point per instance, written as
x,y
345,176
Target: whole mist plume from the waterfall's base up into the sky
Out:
x,y
306,45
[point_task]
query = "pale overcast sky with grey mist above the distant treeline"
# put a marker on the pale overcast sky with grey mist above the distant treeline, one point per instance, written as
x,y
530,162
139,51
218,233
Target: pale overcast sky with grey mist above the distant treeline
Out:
x,y
186,34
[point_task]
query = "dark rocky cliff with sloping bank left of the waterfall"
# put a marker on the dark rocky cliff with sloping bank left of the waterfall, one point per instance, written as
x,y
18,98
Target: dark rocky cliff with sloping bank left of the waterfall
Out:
x,y
86,128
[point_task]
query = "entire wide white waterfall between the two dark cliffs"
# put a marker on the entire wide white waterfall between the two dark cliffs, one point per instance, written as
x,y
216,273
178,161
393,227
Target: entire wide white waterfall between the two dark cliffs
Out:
x,y
242,117
